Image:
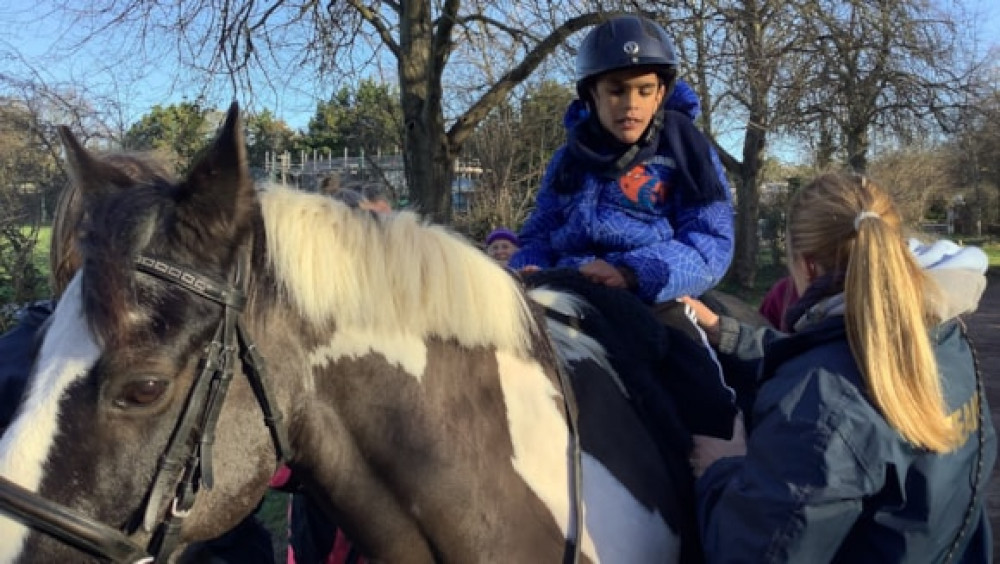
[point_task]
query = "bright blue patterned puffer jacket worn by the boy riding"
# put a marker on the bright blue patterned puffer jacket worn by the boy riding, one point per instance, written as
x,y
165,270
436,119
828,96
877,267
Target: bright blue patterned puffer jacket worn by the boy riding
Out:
x,y
645,219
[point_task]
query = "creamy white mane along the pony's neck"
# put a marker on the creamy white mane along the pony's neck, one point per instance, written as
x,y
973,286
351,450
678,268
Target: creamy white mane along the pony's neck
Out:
x,y
389,274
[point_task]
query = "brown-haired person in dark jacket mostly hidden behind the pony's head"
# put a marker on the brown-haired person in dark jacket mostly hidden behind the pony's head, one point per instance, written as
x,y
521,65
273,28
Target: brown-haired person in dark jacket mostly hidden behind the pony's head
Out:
x,y
249,541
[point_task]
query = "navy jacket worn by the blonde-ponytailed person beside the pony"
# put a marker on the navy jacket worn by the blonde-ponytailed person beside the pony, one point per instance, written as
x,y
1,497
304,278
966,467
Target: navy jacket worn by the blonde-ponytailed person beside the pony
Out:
x,y
826,479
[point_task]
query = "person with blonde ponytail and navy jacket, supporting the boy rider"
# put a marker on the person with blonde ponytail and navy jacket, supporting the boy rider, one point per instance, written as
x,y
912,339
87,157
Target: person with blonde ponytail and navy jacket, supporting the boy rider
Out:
x,y
871,439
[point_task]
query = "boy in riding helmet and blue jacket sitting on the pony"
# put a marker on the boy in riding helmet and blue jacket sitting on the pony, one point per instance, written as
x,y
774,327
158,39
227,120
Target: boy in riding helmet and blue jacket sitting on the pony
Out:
x,y
636,199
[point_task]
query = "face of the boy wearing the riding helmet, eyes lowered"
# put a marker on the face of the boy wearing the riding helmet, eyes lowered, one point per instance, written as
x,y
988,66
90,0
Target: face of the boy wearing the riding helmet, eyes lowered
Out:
x,y
626,100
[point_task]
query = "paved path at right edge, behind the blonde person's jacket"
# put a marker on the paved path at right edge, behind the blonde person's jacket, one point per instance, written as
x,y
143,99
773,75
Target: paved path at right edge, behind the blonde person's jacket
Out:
x,y
984,327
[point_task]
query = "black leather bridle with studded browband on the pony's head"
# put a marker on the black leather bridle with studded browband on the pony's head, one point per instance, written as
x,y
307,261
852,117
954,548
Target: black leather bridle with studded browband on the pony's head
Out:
x,y
186,464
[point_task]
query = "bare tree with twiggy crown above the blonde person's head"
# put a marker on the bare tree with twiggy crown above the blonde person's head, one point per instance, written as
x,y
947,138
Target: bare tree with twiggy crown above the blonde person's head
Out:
x,y
891,66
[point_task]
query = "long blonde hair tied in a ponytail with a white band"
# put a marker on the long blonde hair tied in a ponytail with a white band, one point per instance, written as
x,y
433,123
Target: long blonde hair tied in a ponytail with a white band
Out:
x,y
849,224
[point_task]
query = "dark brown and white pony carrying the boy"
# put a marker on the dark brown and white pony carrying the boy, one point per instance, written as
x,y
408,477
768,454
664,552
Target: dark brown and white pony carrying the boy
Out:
x,y
417,390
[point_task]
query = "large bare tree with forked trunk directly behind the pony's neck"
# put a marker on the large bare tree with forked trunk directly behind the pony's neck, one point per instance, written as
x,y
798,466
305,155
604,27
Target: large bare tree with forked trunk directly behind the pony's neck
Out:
x,y
240,38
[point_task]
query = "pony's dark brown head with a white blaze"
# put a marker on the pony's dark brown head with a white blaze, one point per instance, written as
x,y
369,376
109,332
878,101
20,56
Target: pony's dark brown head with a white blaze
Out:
x,y
115,372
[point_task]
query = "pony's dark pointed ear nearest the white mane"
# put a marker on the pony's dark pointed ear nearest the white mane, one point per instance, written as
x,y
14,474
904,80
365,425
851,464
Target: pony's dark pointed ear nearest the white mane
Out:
x,y
218,192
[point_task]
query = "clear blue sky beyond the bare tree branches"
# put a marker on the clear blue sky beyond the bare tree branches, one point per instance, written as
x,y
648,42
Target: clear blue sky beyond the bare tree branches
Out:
x,y
43,40
